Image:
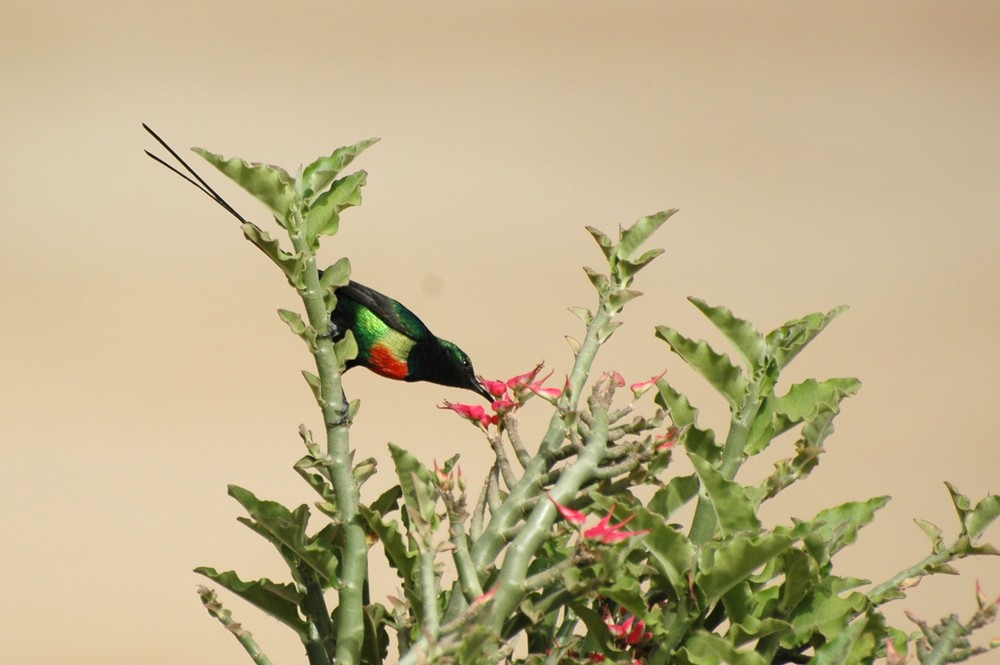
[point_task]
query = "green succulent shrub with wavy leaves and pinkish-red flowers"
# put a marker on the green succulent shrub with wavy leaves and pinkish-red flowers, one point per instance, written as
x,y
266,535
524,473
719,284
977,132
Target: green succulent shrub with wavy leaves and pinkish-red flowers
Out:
x,y
531,583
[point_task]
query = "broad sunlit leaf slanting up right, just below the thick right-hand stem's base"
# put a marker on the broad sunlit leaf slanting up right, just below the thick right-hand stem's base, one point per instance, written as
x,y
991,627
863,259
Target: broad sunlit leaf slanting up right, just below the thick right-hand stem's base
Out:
x,y
725,565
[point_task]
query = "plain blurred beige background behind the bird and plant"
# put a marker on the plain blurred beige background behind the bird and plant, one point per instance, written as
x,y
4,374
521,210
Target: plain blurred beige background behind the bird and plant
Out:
x,y
821,153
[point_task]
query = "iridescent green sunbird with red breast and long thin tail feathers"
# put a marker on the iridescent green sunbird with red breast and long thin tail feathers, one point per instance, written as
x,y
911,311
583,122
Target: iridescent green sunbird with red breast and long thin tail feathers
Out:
x,y
392,341
